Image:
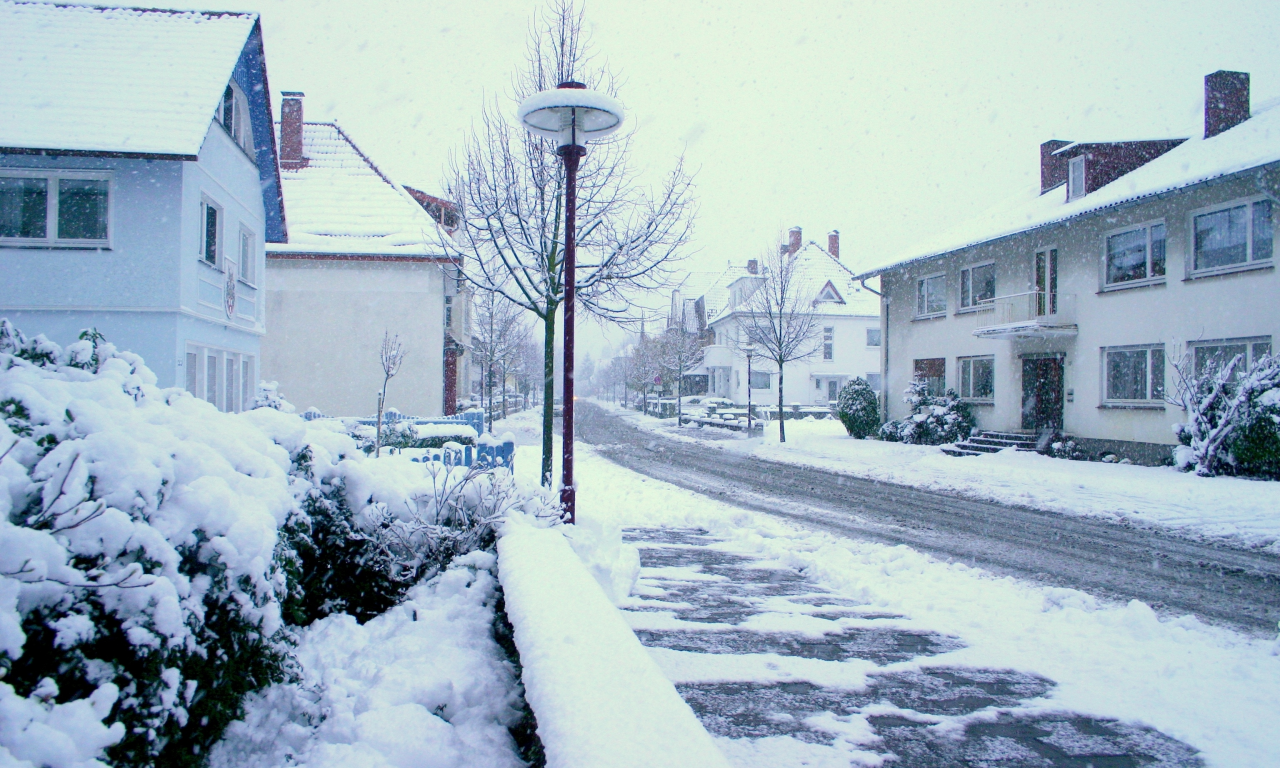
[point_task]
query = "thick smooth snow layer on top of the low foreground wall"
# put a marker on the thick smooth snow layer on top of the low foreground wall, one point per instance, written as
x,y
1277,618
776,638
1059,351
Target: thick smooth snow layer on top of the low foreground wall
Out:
x,y
601,701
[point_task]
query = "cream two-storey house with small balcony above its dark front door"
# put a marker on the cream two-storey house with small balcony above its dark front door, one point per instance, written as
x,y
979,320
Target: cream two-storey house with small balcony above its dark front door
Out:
x,y
1068,309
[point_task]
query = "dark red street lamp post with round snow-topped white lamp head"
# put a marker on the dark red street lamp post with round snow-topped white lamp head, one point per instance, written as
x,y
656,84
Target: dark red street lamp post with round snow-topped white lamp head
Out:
x,y
572,115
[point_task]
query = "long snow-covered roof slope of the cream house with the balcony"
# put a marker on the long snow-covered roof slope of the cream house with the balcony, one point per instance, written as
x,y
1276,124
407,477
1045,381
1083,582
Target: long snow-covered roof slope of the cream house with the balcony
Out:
x,y
1251,144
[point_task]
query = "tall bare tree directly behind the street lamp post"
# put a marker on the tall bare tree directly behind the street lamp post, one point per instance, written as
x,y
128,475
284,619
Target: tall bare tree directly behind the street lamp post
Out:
x,y
510,188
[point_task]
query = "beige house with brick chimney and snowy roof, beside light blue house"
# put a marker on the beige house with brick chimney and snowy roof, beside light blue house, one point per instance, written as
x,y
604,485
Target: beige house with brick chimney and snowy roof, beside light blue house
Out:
x,y
363,258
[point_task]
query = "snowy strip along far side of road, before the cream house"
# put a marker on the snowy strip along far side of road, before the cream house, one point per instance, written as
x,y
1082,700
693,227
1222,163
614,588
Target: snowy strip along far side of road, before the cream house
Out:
x,y
1236,511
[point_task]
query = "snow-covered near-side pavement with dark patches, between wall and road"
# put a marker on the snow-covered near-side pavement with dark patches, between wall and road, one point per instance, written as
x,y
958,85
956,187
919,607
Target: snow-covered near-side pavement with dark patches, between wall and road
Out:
x,y
803,648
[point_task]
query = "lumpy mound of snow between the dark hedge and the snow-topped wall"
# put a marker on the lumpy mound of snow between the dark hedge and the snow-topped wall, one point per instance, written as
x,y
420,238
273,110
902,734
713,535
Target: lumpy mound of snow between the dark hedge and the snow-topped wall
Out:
x,y
423,684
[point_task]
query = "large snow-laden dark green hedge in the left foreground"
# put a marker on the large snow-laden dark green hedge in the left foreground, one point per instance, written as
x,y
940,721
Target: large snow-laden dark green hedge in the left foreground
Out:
x,y
154,551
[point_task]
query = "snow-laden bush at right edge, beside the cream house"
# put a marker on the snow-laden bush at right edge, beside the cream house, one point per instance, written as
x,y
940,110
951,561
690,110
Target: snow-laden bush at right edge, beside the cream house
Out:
x,y
1233,419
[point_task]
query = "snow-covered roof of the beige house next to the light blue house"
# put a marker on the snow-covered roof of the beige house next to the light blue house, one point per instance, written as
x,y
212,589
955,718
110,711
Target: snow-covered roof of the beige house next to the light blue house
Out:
x,y
342,205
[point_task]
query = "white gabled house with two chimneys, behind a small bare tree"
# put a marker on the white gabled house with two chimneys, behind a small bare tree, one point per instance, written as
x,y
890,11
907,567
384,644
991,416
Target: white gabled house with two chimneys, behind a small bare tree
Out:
x,y
848,345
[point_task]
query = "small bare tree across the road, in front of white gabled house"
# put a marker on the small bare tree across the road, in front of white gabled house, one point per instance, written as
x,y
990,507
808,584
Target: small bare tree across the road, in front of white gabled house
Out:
x,y
780,319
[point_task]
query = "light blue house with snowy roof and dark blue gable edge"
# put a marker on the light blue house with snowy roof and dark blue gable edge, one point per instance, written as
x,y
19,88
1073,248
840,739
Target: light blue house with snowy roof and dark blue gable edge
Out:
x,y
138,186
